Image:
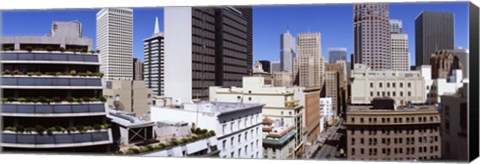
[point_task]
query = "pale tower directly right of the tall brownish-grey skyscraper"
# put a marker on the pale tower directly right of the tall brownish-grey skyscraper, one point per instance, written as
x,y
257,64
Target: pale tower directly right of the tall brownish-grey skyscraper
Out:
x,y
399,47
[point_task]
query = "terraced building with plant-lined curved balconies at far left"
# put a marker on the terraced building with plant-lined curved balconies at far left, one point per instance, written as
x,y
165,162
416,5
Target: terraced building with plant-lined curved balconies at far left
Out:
x,y
52,93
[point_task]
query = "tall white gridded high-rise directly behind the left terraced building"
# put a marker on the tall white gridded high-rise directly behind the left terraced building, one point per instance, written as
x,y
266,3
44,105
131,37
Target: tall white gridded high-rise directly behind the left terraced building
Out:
x,y
115,40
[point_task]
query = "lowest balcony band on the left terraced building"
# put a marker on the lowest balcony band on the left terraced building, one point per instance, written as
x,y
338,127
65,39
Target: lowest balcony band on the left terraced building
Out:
x,y
56,140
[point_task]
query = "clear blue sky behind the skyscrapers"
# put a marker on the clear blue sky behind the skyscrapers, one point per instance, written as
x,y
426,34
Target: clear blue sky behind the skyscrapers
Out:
x,y
334,22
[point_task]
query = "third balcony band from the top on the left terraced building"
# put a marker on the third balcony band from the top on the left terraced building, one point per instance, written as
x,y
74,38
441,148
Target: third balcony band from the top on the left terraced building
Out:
x,y
52,110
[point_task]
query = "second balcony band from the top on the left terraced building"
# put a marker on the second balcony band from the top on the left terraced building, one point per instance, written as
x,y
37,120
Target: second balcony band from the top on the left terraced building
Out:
x,y
51,82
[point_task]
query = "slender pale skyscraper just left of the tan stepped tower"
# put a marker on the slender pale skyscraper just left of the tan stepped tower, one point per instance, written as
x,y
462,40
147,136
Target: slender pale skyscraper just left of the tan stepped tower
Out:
x,y
287,52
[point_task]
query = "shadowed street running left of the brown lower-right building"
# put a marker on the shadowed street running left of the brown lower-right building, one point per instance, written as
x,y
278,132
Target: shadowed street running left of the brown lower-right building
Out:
x,y
333,141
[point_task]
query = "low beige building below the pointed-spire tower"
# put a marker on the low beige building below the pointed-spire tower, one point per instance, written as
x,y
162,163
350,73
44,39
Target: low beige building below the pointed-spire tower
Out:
x,y
132,94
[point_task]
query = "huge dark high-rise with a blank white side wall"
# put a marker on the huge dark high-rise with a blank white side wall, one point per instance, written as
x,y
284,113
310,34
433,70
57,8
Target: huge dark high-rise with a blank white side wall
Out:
x,y
204,51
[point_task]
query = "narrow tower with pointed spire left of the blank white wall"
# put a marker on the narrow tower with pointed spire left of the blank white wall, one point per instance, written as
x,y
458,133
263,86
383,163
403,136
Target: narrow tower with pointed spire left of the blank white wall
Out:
x,y
153,62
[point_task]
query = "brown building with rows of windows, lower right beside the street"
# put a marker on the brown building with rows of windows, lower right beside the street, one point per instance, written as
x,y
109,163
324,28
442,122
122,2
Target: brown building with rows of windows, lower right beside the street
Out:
x,y
393,134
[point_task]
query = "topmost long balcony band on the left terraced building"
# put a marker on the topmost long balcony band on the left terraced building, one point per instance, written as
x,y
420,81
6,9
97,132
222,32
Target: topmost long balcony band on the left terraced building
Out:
x,y
53,57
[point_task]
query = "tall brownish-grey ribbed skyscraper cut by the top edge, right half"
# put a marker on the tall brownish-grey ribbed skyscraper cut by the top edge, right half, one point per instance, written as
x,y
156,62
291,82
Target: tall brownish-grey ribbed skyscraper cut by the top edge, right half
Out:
x,y
372,35
